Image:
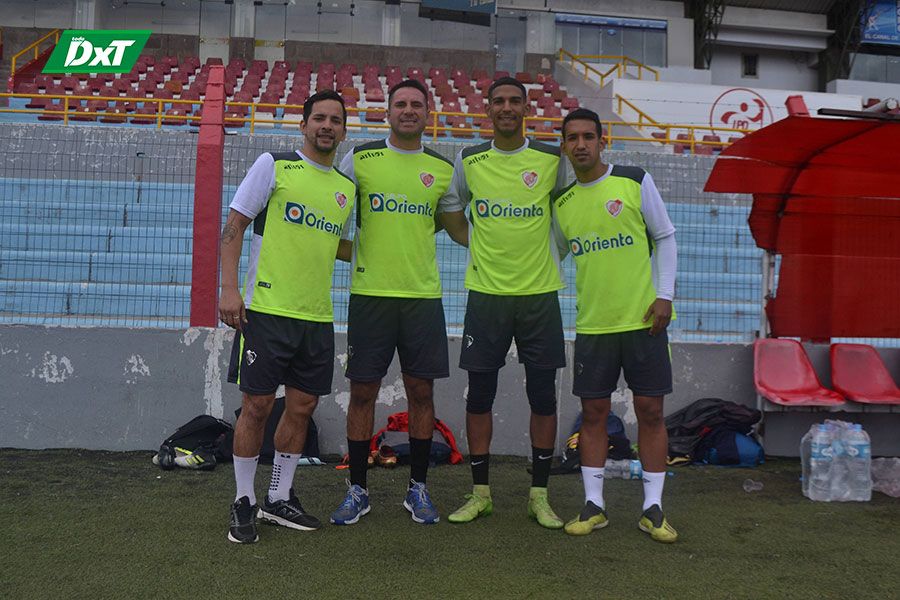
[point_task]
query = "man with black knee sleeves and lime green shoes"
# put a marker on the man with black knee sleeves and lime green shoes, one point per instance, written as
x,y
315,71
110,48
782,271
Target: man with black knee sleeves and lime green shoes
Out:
x,y
512,277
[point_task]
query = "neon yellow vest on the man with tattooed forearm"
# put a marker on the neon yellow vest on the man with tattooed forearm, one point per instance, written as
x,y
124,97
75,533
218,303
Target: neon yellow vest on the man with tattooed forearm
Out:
x,y
292,262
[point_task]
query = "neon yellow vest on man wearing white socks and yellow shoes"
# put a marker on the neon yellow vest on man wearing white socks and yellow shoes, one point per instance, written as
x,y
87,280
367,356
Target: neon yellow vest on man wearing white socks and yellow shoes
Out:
x,y
611,248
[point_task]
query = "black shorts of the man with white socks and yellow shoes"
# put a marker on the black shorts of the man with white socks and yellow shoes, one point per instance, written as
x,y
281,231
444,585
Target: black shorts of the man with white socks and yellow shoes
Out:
x,y
600,358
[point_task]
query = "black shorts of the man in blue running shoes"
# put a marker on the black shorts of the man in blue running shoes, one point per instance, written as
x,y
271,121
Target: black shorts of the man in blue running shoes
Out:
x,y
415,327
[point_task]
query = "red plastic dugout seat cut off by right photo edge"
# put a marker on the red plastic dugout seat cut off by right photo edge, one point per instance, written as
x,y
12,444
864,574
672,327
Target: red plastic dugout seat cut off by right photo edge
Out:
x,y
858,373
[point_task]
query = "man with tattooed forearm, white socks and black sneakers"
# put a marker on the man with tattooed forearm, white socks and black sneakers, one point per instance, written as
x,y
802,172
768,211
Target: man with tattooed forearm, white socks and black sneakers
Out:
x,y
300,206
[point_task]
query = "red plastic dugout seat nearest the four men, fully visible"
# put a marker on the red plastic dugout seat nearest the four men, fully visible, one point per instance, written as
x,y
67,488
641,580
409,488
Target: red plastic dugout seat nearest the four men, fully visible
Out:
x,y
783,374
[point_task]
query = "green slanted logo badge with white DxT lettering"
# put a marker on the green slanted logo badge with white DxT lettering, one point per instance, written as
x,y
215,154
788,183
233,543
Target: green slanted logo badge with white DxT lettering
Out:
x,y
97,51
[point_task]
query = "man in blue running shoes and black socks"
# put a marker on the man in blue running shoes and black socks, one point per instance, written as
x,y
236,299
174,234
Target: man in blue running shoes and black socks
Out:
x,y
395,292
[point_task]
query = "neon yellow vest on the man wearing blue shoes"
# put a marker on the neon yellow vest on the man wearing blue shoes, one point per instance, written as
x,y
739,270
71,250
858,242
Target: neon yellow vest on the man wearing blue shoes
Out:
x,y
394,250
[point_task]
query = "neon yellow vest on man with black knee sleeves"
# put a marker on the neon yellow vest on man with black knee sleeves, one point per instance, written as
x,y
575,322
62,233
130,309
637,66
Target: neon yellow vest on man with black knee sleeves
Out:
x,y
510,249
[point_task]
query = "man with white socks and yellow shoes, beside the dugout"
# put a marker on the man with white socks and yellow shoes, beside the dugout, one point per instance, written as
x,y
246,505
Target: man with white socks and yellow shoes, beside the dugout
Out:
x,y
613,220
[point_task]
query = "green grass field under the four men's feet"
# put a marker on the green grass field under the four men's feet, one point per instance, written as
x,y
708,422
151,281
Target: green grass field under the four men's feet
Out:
x,y
84,524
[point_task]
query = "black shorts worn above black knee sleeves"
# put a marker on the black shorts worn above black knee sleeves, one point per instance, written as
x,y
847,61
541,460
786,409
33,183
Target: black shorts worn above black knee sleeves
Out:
x,y
493,321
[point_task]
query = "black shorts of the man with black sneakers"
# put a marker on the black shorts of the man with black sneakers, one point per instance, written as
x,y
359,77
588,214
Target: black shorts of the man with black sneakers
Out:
x,y
275,350
